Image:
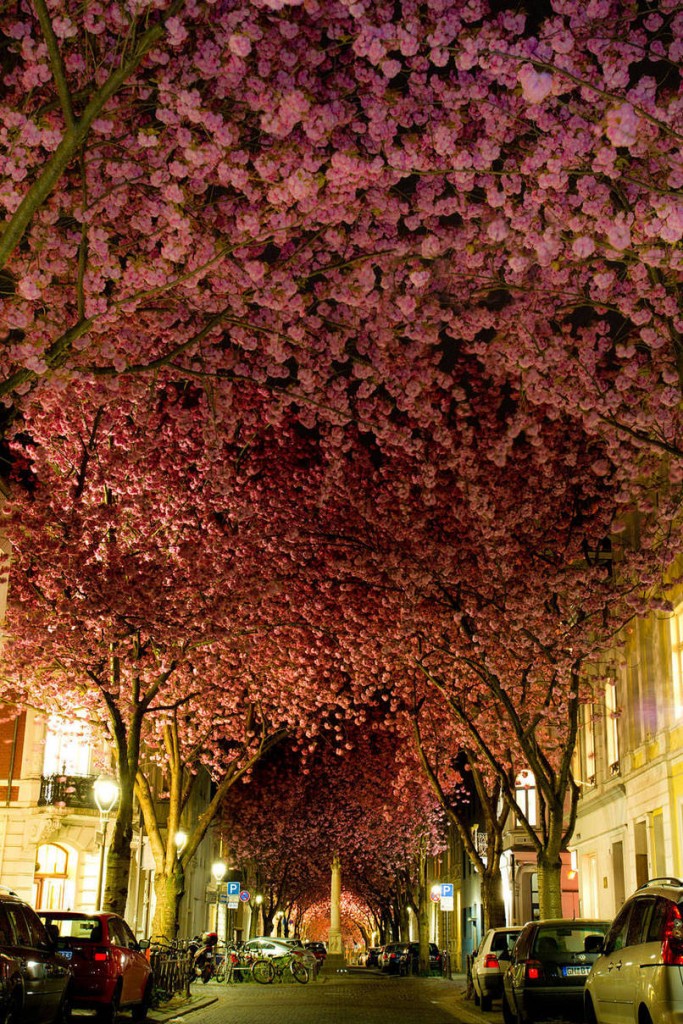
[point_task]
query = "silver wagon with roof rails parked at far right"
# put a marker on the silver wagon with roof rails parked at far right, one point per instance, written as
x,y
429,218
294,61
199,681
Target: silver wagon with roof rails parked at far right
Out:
x,y
638,975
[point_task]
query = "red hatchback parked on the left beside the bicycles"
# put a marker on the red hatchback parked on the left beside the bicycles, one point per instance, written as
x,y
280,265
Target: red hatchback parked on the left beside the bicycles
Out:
x,y
110,969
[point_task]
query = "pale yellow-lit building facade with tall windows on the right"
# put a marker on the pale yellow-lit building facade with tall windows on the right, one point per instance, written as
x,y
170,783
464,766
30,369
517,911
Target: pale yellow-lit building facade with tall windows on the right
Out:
x,y
630,826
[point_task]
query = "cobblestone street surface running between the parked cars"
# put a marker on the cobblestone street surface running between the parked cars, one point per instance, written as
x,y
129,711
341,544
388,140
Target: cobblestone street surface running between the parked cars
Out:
x,y
341,999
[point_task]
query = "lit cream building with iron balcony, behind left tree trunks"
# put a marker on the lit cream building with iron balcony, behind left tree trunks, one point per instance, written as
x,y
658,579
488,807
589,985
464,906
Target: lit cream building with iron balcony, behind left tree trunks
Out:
x,y
52,838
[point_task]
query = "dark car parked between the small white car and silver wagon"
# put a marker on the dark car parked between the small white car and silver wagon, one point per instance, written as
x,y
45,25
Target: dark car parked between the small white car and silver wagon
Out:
x,y
548,968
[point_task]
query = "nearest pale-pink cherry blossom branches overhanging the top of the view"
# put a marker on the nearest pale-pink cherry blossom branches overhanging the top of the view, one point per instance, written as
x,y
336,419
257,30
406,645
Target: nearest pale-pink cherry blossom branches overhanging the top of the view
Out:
x,y
331,203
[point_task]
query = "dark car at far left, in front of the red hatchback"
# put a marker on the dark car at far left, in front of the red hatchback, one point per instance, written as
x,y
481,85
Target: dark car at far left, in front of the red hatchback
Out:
x,y
36,980
